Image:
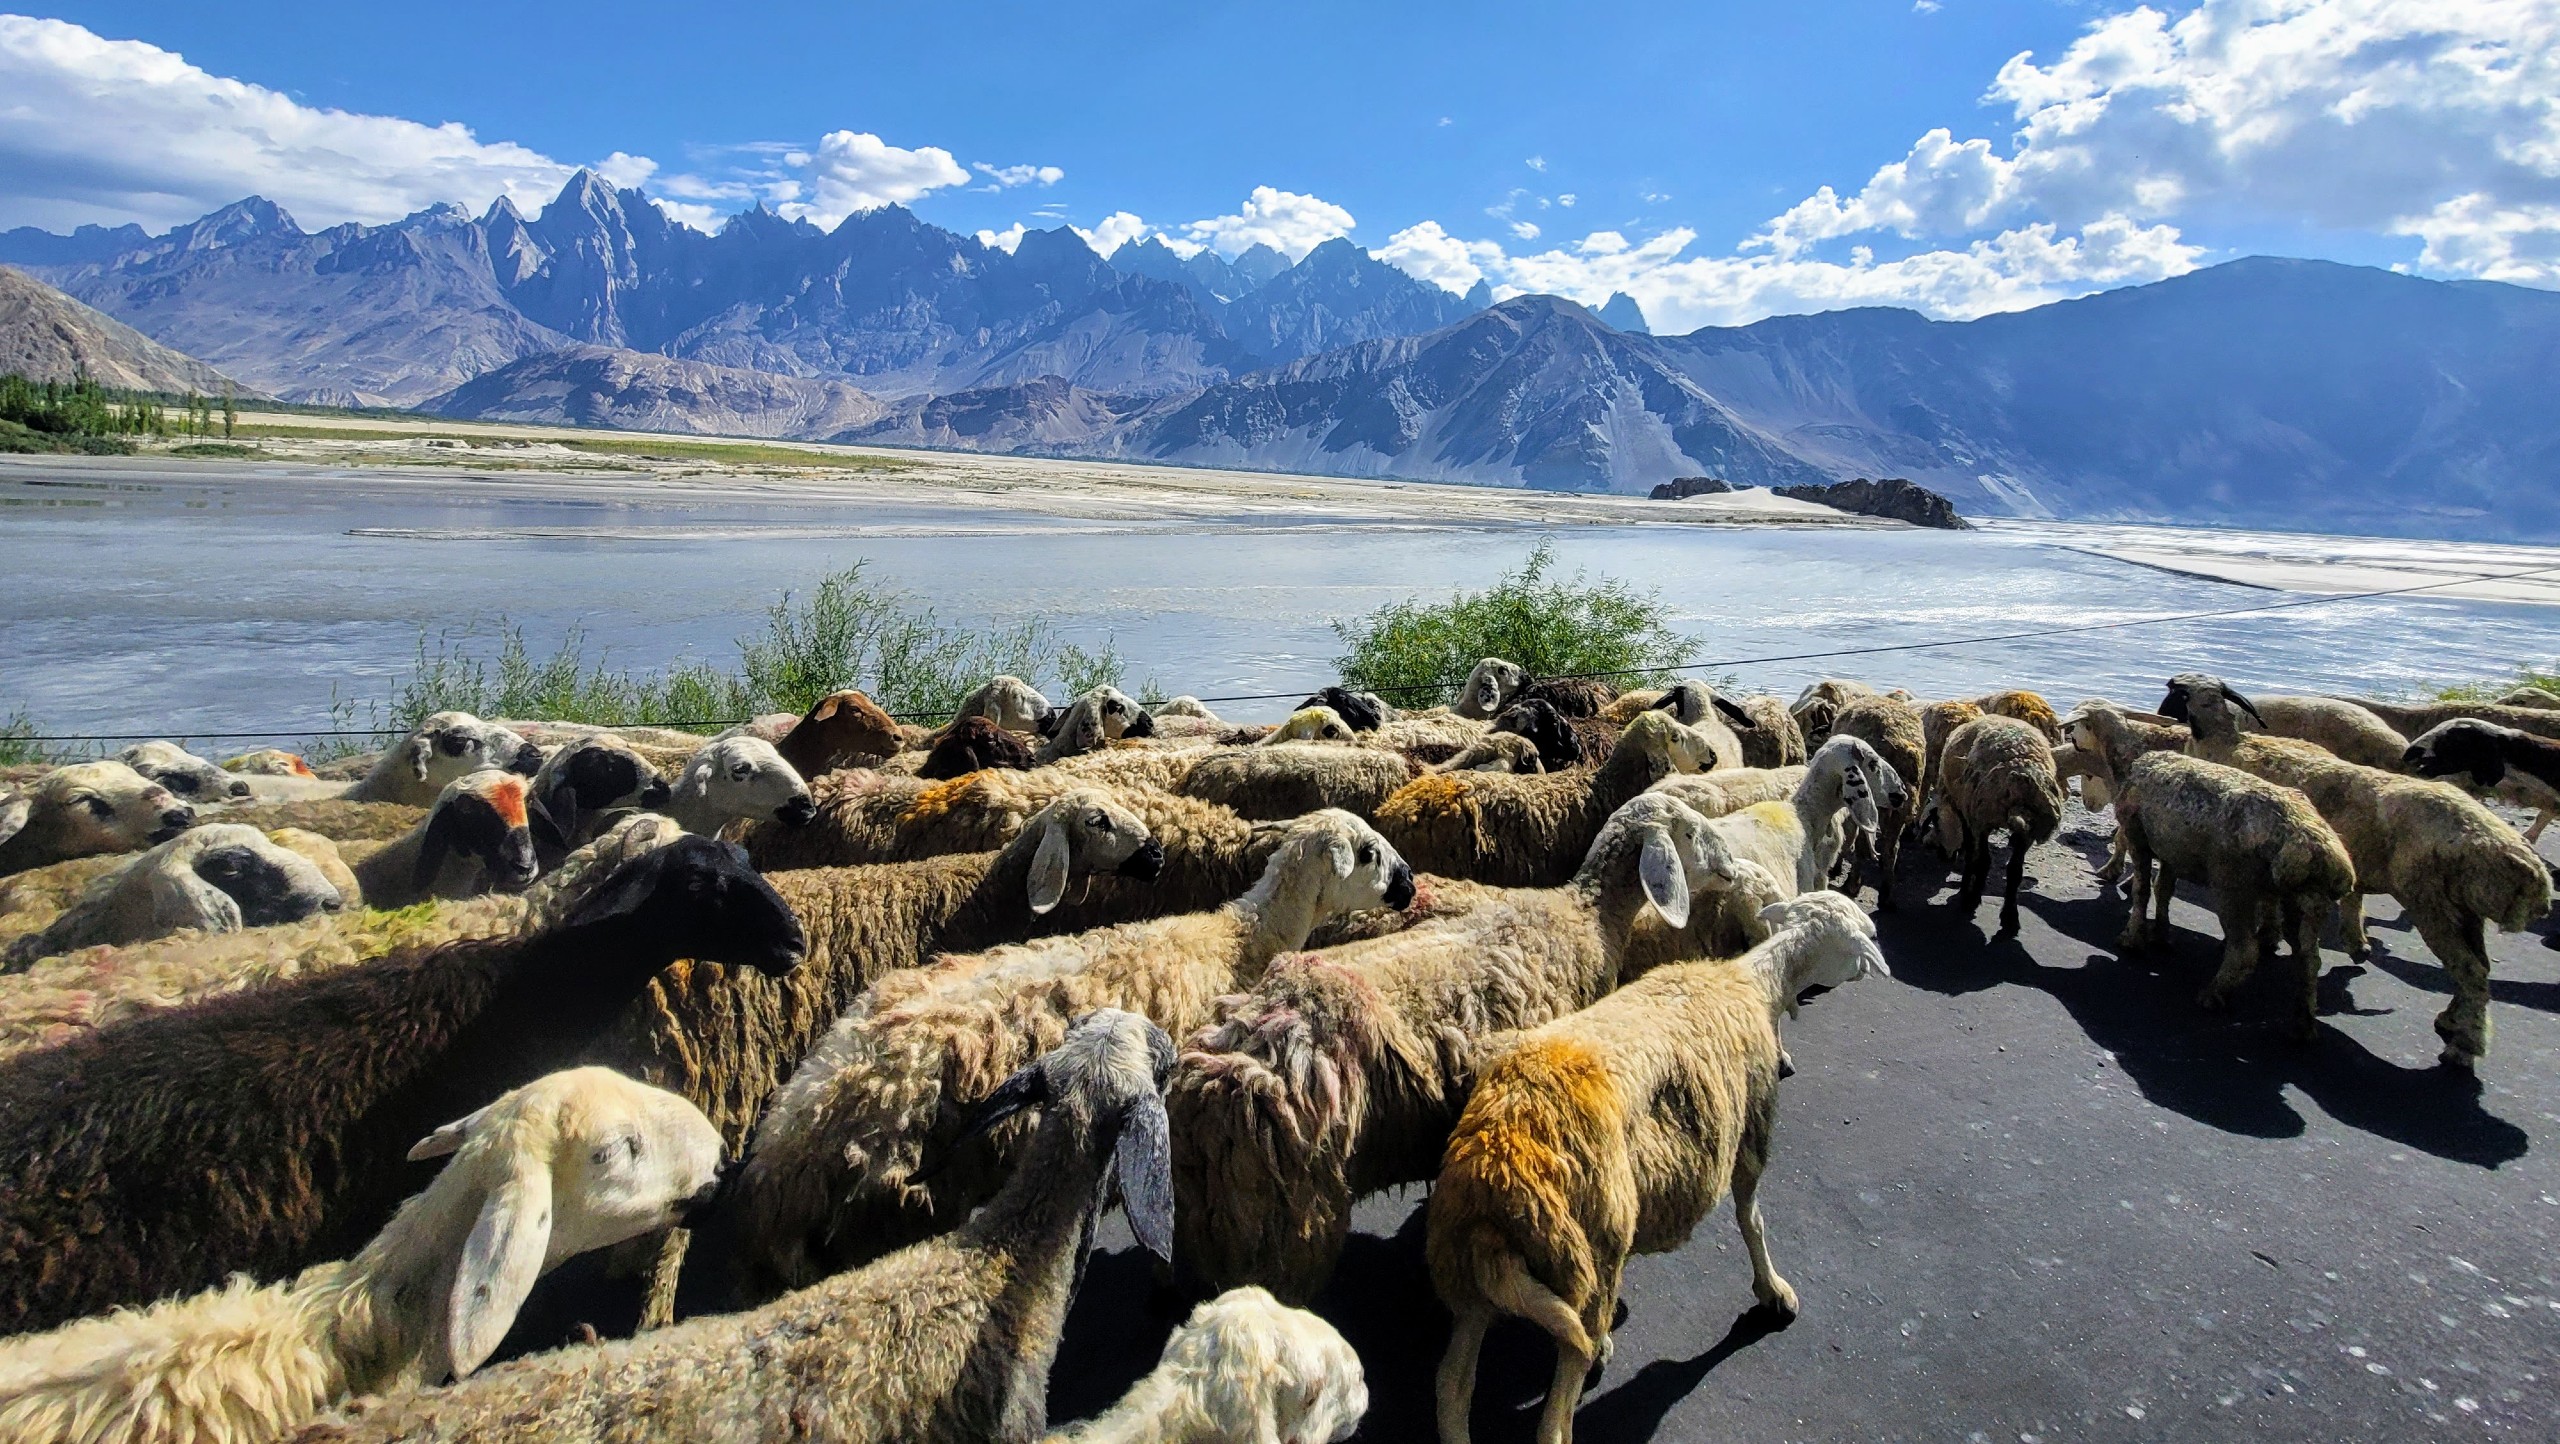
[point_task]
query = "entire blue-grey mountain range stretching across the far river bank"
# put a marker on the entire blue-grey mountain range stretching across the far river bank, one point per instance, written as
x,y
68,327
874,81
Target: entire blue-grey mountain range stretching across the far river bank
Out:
x,y
2254,393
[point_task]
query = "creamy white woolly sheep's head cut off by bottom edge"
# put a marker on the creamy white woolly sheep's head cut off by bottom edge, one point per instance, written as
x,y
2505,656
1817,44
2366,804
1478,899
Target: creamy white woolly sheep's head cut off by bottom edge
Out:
x,y
1243,1368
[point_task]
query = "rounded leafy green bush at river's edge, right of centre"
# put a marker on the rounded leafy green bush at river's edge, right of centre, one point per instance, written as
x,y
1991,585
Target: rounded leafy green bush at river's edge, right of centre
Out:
x,y
1417,652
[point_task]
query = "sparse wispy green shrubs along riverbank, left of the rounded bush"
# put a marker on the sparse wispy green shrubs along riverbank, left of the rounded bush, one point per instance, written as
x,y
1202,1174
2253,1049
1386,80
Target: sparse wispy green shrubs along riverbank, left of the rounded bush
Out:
x,y
849,631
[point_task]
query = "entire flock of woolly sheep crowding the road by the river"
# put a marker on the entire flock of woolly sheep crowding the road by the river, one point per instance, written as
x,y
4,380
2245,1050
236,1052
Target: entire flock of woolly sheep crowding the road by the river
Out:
x,y
841,1036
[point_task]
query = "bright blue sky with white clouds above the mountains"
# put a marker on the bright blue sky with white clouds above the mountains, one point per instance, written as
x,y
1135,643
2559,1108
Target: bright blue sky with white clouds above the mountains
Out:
x,y
1978,155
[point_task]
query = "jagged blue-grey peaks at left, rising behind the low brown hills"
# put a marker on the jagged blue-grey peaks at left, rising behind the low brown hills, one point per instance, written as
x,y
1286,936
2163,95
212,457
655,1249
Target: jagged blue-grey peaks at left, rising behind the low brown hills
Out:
x,y
408,311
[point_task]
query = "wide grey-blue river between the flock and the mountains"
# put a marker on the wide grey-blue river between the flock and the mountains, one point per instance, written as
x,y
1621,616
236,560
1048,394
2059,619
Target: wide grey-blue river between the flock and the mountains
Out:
x,y
242,598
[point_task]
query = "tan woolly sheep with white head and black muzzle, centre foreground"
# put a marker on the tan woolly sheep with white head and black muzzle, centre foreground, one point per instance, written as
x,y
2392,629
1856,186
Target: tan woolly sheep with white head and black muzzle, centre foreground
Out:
x,y
836,1171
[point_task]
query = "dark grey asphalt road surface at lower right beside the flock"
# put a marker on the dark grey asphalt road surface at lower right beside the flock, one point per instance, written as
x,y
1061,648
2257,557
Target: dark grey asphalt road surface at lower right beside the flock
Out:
x,y
2031,1194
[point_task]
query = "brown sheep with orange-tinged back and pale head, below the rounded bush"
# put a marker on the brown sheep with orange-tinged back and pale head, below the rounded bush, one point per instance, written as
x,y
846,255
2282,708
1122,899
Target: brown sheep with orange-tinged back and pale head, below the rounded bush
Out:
x,y
1530,831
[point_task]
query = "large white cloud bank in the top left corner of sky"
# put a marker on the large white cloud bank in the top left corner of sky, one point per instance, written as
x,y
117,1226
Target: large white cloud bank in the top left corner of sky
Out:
x,y
116,132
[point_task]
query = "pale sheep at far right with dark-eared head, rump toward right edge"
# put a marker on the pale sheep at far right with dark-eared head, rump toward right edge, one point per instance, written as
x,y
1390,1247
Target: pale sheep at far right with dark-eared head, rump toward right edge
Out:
x,y
2451,864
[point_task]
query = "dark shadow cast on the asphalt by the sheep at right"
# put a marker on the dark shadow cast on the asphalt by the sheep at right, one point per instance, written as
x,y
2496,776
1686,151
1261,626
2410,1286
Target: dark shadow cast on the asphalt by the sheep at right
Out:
x,y
2231,1069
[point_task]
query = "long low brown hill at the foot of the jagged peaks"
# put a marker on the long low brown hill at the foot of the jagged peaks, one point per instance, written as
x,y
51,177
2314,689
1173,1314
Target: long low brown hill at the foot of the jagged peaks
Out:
x,y
636,390
